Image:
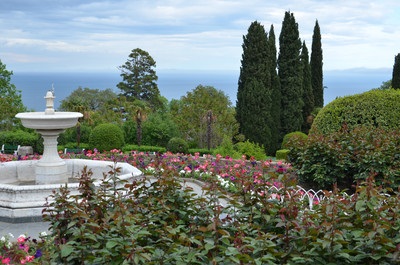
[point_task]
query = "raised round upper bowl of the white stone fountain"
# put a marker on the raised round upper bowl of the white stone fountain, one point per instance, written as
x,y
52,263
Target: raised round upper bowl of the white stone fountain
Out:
x,y
41,120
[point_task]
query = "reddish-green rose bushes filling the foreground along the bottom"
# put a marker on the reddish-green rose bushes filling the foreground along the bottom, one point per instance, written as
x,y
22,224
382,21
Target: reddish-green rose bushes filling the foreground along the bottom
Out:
x,y
163,222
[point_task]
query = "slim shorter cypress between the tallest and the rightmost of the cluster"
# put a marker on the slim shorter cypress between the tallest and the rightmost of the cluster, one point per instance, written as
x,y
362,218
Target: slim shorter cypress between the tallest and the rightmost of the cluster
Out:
x,y
308,96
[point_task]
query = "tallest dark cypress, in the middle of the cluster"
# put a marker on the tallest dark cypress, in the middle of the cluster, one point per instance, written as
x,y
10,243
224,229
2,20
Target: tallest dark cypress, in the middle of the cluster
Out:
x,y
290,75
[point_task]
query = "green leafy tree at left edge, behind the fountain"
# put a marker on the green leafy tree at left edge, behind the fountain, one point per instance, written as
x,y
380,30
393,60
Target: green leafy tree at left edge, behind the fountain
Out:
x,y
10,100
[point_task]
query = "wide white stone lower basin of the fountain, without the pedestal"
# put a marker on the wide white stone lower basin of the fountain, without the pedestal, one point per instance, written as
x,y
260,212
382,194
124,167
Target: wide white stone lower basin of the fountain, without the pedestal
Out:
x,y
21,200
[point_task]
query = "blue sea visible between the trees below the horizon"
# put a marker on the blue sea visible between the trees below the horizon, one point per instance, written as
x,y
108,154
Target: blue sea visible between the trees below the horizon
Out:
x,y
173,84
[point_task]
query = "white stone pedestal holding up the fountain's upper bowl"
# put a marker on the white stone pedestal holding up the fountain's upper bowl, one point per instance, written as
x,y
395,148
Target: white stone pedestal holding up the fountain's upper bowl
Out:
x,y
51,169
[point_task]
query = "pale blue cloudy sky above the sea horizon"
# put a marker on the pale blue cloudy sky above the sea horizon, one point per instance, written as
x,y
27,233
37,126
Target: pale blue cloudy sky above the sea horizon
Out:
x,y
98,35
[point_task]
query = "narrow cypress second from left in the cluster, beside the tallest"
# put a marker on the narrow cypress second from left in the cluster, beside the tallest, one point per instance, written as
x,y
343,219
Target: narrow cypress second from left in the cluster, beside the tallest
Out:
x,y
275,94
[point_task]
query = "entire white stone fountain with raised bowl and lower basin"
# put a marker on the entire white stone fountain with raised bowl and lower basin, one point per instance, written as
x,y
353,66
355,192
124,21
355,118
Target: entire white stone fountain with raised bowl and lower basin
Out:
x,y
24,185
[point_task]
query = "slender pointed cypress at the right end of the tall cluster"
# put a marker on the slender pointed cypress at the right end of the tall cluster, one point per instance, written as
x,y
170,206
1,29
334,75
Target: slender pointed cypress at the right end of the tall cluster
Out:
x,y
316,67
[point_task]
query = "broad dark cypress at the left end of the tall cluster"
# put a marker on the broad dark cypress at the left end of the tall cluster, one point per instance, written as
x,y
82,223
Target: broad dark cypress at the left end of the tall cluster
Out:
x,y
253,104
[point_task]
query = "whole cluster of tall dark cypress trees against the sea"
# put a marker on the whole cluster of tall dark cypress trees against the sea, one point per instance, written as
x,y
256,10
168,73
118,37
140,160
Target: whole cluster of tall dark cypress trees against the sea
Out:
x,y
277,95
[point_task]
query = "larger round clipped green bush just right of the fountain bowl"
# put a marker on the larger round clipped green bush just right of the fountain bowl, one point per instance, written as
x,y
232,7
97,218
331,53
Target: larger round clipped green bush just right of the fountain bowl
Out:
x,y
105,137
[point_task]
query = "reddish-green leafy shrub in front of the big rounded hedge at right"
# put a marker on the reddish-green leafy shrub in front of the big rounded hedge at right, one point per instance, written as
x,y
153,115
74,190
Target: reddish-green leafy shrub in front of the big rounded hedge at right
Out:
x,y
348,156
